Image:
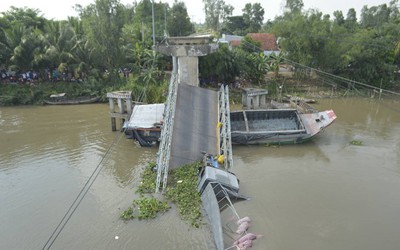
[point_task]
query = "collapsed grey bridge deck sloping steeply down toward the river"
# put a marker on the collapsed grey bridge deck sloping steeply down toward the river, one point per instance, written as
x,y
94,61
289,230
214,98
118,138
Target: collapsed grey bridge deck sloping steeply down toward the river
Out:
x,y
195,122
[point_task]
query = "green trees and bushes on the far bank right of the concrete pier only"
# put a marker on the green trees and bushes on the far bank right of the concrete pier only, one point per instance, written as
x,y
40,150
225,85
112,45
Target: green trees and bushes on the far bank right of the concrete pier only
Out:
x,y
365,50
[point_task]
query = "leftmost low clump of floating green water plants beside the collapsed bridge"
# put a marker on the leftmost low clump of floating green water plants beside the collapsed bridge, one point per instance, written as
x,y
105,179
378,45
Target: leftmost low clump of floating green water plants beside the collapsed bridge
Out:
x,y
145,208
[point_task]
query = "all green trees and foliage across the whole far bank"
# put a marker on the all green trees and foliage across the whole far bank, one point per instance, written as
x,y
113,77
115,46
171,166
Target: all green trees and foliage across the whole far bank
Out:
x,y
109,39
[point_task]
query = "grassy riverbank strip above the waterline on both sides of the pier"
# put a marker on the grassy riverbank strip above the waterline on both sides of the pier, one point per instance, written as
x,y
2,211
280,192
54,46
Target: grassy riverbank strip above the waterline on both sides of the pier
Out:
x,y
14,94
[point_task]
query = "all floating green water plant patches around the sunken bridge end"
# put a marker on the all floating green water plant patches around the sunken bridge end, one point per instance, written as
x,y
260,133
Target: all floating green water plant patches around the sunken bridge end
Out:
x,y
181,190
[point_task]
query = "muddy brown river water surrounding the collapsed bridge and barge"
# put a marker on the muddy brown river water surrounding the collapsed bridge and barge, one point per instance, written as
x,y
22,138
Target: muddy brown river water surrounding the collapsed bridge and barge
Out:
x,y
326,194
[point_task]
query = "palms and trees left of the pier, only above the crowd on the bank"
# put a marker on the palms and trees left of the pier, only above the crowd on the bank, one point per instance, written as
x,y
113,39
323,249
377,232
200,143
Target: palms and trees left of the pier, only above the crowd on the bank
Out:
x,y
104,37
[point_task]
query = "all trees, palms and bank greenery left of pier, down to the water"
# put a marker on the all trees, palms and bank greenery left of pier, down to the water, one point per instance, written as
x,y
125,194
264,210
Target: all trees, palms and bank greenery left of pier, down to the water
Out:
x,y
107,48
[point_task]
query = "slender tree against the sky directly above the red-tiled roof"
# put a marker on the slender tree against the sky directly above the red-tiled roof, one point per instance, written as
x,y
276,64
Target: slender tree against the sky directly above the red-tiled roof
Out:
x,y
253,15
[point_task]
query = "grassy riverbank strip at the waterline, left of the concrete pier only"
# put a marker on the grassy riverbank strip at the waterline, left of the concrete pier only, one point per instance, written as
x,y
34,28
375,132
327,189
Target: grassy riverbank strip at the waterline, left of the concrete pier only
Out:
x,y
14,94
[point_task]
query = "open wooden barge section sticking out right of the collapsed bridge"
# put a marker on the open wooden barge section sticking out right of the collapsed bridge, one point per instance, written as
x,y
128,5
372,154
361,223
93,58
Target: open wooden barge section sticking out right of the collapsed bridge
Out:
x,y
277,126
